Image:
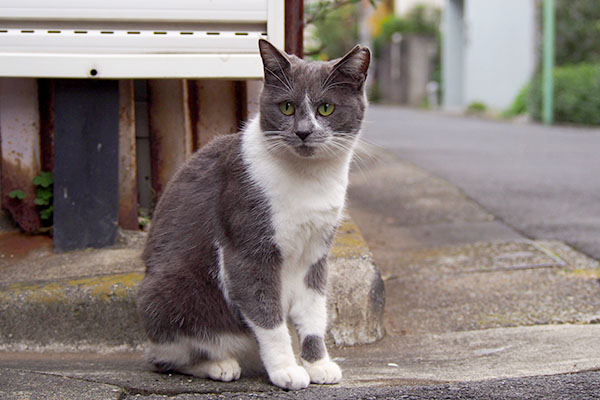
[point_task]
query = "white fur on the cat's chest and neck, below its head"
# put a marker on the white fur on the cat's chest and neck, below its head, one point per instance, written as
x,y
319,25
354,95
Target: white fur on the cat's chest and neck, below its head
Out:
x,y
306,198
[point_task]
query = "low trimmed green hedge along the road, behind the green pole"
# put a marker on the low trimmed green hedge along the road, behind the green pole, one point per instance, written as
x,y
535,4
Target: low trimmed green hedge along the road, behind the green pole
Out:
x,y
576,94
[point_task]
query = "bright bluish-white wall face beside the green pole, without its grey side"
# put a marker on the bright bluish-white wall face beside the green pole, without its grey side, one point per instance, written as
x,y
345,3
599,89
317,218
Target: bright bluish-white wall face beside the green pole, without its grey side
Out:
x,y
499,53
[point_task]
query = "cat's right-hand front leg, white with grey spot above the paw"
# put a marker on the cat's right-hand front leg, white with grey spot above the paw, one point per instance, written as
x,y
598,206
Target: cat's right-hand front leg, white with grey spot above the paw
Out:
x,y
309,313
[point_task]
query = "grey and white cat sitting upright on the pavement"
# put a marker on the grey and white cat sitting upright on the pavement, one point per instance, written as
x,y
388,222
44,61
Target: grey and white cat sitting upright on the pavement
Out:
x,y
240,237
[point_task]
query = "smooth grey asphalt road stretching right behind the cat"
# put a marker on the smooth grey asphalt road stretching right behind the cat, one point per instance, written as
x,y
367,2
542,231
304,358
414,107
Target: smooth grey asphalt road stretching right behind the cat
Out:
x,y
543,182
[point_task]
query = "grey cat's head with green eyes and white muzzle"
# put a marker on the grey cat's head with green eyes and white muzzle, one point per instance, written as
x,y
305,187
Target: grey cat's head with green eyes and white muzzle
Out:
x,y
312,108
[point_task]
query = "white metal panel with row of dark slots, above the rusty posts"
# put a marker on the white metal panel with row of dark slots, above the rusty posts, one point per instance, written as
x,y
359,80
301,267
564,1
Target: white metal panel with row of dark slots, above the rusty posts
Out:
x,y
149,39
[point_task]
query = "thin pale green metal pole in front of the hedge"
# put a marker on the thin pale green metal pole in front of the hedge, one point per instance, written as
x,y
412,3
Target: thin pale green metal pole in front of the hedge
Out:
x,y
548,64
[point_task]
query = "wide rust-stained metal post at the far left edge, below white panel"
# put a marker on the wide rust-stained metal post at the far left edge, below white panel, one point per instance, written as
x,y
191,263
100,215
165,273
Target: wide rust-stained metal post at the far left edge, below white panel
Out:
x,y
19,131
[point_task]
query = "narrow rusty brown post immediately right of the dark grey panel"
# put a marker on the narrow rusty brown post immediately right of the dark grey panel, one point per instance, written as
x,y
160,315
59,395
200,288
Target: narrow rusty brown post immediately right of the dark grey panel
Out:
x,y
127,157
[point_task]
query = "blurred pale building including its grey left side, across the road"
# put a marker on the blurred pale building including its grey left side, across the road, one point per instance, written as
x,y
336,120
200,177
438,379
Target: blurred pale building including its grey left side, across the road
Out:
x,y
488,51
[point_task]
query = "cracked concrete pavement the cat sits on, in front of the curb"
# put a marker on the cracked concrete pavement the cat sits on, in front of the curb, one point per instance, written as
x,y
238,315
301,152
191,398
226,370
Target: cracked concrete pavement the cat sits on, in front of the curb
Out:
x,y
473,310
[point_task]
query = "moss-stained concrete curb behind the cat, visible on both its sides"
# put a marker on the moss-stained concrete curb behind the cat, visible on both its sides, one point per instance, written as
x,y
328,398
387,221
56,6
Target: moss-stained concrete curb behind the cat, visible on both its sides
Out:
x,y
97,313
